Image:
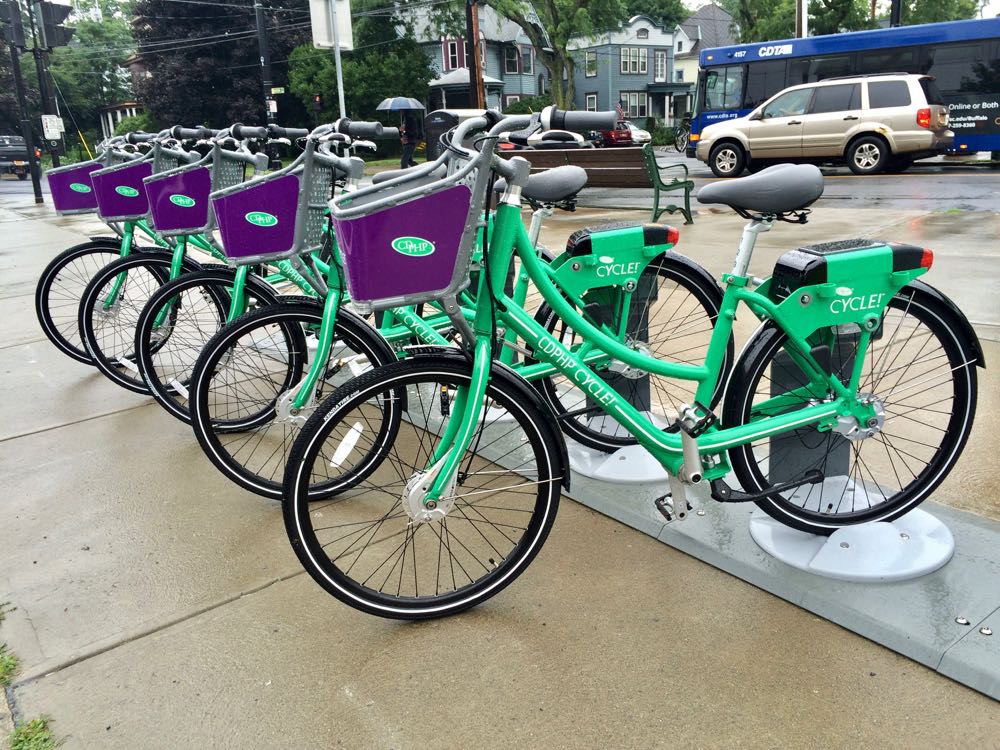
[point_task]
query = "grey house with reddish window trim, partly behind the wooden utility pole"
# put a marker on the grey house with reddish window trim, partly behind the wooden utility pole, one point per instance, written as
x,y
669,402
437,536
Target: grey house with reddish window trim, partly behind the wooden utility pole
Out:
x,y
510,65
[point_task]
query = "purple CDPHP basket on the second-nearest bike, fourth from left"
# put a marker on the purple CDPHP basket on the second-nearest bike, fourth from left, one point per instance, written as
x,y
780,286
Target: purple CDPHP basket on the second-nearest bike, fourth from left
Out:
x,y
258,219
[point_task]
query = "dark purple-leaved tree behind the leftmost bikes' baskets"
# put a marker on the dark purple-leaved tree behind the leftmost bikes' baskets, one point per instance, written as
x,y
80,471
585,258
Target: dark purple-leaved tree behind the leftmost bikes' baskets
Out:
x,y
203,59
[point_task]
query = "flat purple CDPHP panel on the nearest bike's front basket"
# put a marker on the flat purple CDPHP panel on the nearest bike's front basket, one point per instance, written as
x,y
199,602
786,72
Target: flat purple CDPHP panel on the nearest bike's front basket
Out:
x,y
406,251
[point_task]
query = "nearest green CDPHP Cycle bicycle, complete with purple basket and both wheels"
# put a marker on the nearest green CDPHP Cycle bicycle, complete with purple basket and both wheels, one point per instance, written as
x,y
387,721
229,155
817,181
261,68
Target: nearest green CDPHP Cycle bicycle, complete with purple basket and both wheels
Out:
x,y
441,473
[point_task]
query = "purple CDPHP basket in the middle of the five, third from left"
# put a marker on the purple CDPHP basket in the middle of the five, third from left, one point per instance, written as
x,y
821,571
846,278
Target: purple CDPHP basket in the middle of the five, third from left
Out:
x,y
178,200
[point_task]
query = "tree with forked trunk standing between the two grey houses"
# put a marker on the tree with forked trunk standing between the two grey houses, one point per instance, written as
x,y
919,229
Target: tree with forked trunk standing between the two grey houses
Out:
x,y
556,22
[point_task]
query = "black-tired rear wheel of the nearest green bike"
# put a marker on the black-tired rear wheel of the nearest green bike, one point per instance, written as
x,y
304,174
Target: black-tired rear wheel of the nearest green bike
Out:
x,y
918,369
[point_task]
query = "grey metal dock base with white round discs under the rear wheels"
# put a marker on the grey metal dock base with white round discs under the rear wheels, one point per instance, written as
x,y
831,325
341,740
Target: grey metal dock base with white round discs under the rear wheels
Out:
x,y
905,585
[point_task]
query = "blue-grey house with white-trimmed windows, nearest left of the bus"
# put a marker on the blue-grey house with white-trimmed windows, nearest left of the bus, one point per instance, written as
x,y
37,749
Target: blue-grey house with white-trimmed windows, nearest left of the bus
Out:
x,y
632,66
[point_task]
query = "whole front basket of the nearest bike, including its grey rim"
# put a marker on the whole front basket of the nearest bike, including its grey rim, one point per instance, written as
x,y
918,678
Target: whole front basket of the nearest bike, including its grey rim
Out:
x,y
402,253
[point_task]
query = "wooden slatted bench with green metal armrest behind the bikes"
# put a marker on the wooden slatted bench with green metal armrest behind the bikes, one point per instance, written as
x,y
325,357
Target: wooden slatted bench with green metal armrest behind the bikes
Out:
x,y
627,167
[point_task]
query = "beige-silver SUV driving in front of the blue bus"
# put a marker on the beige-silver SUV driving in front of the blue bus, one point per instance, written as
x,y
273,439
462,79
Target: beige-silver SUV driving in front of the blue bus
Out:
x,y
873,122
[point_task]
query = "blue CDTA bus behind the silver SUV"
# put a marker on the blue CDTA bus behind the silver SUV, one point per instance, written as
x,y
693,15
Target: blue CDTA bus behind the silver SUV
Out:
x,y
963,57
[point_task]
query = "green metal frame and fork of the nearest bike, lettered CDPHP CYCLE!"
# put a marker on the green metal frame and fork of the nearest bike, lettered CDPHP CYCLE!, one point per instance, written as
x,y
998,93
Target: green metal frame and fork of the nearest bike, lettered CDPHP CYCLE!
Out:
x,y
833,398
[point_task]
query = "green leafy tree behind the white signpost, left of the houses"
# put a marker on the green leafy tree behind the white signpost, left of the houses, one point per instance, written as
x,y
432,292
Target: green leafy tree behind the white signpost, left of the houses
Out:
x,y
382,64
